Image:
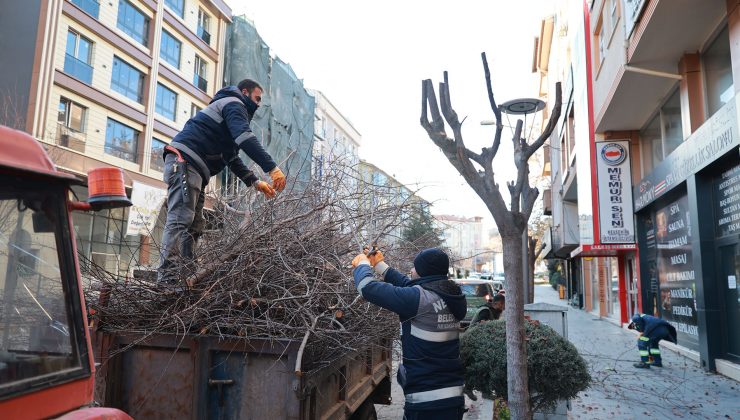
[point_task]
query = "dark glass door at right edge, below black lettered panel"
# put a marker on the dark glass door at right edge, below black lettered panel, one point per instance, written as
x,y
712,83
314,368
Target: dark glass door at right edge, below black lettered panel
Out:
x,y
729,277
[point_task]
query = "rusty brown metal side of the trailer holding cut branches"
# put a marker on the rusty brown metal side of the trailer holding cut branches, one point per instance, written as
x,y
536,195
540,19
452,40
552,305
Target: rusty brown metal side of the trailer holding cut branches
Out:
x,y
201,377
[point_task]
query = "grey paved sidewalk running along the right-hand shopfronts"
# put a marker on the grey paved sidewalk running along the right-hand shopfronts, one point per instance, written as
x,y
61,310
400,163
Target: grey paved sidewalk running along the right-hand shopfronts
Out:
x,y
619,391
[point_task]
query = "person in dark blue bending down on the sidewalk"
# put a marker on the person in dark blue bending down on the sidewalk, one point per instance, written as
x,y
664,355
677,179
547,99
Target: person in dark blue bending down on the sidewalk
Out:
x,y
652,330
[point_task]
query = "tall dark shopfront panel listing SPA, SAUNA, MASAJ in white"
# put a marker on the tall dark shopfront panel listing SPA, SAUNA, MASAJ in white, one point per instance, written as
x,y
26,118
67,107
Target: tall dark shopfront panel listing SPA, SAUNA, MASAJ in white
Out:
x,y
671,276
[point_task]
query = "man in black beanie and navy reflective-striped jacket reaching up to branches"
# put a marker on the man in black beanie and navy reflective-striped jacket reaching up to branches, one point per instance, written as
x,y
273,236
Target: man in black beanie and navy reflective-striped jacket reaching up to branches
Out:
x,y
430,308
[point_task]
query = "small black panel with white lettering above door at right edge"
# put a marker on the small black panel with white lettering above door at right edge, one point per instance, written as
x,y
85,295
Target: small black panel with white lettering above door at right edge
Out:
x,y
727,202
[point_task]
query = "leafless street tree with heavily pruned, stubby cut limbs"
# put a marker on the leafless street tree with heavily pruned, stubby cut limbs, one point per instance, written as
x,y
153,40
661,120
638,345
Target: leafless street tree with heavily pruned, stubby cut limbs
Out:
x,y
512,219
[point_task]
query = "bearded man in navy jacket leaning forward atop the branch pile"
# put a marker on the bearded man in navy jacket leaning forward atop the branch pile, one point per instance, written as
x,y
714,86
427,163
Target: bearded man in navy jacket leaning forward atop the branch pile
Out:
x,y
210,141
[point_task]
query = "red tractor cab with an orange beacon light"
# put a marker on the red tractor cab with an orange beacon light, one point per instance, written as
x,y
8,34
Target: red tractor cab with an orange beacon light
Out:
x,y
46,361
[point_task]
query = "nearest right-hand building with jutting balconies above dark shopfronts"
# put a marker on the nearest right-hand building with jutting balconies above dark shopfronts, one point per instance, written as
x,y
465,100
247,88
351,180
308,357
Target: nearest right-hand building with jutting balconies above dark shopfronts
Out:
x,y
663,83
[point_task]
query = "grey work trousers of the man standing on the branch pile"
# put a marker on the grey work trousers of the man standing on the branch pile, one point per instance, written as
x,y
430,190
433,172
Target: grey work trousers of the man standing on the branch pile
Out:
x,y
185,197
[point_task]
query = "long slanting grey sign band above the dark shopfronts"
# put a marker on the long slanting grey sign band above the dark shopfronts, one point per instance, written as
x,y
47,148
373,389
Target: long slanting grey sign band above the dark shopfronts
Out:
x,y
713,139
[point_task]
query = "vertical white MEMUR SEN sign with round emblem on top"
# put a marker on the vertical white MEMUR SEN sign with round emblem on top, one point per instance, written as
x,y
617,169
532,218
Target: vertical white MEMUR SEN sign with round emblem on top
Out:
x,y
616,221
